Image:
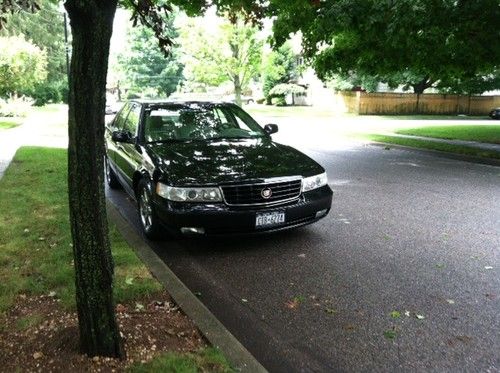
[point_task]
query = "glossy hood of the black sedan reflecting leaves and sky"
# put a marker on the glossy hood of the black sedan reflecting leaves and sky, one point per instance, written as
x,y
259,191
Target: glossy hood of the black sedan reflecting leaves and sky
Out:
x,y
226,161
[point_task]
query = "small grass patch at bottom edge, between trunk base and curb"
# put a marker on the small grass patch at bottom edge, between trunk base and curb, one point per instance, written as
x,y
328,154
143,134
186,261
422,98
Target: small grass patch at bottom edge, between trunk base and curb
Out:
x,y
207,360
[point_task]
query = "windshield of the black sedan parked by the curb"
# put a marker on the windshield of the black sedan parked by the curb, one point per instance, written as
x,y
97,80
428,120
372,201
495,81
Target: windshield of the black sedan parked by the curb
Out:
x,y
185,122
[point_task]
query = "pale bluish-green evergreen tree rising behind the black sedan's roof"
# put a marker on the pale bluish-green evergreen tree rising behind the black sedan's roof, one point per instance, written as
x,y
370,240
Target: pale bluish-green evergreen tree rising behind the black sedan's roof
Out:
x,y
145,65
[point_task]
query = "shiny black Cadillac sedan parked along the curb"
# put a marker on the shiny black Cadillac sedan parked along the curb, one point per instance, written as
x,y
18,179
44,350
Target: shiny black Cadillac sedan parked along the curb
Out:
x,y
209,168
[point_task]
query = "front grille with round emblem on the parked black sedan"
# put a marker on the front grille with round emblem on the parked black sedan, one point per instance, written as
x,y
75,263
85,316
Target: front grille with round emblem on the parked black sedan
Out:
x,y
252,194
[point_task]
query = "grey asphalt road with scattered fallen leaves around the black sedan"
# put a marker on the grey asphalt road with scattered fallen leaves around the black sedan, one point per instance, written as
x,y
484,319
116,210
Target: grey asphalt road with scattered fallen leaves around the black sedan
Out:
x,y
408,232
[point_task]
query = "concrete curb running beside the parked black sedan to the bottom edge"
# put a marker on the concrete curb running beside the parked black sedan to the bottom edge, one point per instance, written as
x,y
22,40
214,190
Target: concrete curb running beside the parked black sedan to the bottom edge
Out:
x,y
238,356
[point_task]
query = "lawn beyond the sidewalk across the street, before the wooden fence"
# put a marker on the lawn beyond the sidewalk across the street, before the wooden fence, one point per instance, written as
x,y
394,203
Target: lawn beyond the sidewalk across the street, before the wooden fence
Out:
x,y
481,133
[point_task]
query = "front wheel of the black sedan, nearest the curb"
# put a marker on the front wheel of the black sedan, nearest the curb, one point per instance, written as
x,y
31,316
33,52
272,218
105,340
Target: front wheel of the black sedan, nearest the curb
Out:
x,y
149,220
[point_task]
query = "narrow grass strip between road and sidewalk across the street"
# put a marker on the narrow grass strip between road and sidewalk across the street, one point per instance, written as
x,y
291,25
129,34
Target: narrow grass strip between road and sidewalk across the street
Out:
x,y
415,143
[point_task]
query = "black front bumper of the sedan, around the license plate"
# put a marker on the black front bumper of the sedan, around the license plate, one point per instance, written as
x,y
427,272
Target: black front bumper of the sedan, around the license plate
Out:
x,y
220,219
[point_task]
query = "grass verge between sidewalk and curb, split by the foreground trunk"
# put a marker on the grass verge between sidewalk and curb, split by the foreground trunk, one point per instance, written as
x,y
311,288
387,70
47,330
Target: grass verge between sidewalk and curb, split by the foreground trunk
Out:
x,y
35,242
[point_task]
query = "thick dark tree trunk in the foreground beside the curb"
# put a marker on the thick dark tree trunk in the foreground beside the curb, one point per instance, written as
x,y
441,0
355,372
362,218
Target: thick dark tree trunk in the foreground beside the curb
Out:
x,y
91,24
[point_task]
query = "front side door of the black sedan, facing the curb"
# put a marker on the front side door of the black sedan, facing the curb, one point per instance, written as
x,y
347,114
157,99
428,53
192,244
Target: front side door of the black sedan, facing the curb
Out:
x,y
128,156
